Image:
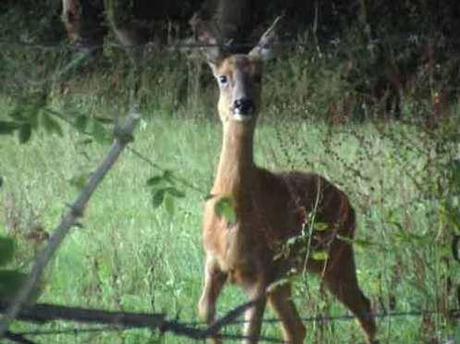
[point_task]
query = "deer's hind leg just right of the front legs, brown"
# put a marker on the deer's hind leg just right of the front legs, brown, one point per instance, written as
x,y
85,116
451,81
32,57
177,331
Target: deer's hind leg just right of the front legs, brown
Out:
x,y
281,302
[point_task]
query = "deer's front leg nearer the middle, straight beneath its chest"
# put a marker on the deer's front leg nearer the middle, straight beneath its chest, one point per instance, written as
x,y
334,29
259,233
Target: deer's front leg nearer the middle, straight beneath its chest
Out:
x,y
254,315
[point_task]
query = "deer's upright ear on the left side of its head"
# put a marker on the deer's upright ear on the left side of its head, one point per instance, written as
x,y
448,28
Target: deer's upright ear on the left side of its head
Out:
x,y
206,35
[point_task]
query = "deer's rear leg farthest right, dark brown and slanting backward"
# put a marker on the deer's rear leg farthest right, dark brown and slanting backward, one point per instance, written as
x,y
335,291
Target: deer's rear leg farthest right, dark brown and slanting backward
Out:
x,y
341,280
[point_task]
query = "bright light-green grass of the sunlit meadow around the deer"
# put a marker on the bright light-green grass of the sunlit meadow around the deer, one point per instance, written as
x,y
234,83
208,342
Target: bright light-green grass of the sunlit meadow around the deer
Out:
x,y
129,256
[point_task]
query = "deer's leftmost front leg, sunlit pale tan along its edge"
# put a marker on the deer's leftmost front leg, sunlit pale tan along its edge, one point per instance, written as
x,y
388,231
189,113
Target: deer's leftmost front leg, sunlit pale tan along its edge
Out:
x,y
214,280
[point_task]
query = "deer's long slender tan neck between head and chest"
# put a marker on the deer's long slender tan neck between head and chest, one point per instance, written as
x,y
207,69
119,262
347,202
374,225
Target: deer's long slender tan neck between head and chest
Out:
x,y
236,169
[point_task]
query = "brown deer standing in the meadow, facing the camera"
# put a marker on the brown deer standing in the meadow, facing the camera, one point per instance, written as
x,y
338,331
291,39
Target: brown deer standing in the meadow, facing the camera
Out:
x,y
251,250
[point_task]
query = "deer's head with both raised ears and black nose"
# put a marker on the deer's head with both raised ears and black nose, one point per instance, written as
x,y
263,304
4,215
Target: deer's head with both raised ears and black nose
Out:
x,y
238,75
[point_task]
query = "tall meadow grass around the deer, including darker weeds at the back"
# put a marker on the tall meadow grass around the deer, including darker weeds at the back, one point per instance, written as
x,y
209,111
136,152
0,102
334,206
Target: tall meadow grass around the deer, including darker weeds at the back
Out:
x,y
130,256
